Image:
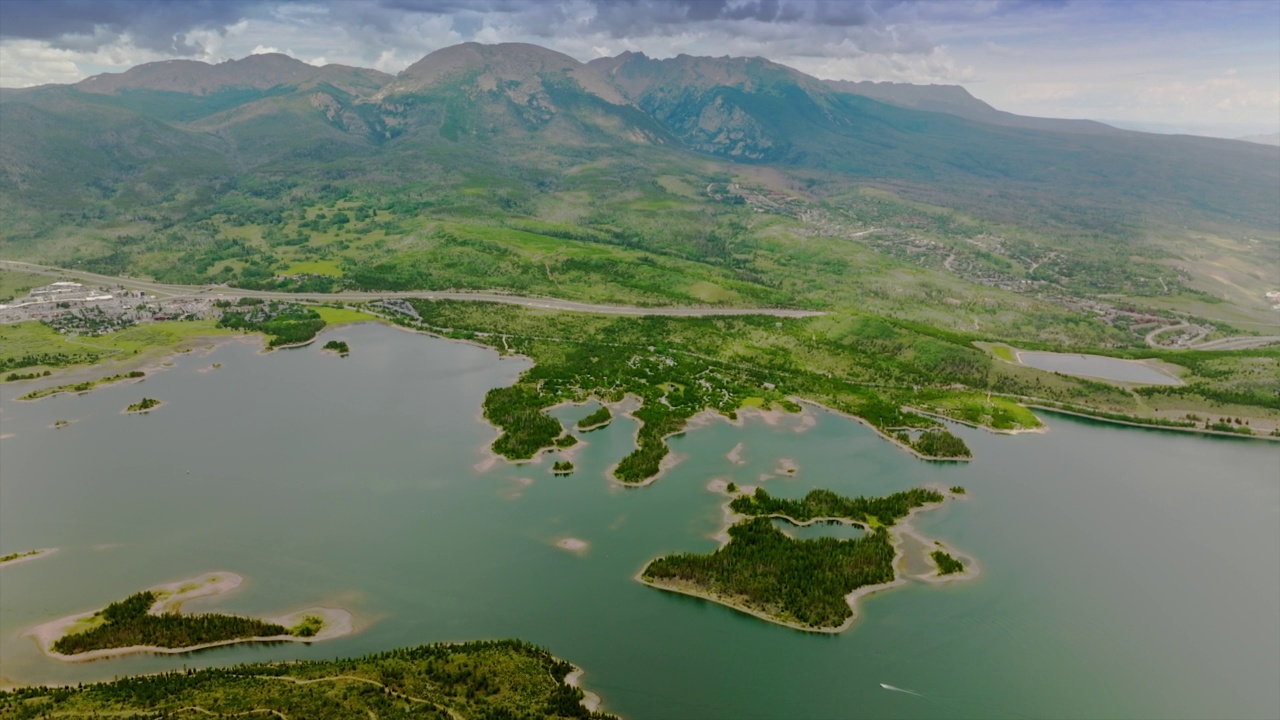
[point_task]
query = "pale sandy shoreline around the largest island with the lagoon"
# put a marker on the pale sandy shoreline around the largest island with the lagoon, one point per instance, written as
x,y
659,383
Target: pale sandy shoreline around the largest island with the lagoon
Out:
x,y
898,534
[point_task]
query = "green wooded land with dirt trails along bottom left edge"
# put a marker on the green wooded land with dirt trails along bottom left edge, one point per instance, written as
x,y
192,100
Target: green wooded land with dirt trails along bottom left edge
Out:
x,y
500,680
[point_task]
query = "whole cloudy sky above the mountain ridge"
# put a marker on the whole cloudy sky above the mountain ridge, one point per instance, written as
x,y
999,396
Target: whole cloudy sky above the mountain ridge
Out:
x,y
1164,66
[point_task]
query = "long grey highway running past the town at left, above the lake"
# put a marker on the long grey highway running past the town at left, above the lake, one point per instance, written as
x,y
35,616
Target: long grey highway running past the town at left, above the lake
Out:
x,y
179,291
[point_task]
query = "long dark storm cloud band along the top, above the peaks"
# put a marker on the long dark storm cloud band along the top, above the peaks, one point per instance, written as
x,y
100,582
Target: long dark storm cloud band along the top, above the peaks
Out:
x,y
163,25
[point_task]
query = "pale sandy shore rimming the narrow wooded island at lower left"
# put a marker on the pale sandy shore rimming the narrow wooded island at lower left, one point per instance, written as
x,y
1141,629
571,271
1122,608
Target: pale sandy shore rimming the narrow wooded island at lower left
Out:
x,y
336,622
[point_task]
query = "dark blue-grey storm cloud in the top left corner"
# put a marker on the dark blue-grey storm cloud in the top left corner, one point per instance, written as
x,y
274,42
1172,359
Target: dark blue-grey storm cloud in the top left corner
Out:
x,y
88,24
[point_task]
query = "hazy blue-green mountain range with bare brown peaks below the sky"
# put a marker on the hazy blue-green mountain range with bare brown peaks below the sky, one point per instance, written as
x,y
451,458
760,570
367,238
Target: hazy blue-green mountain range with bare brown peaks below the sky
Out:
x,y
167,144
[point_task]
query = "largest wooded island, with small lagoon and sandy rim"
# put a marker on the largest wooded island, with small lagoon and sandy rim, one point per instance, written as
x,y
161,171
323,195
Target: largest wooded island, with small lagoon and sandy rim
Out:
x,y
811,585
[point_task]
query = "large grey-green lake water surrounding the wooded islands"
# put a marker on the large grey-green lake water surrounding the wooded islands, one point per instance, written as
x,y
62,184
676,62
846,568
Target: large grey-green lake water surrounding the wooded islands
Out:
x,y
1126,573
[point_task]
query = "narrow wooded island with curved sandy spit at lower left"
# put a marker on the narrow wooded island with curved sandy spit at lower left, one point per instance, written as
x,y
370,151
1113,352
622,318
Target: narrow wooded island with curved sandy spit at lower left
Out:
x,y
150,622
